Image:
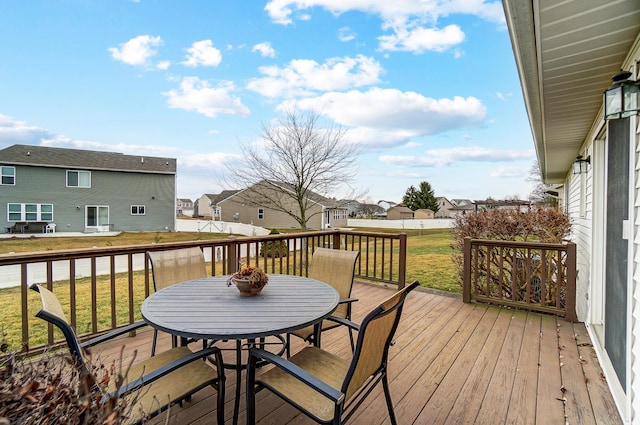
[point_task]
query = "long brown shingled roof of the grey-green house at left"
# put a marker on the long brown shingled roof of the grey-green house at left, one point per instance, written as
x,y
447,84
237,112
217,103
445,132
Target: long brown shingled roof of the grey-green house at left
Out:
x,y
41,156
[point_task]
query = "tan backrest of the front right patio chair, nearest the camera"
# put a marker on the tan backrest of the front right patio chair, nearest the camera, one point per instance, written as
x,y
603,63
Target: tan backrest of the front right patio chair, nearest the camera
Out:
x,y
374,338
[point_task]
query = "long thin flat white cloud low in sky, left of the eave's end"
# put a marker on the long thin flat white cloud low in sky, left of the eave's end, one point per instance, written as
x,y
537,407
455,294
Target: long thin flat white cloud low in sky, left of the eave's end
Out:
x,y
444,157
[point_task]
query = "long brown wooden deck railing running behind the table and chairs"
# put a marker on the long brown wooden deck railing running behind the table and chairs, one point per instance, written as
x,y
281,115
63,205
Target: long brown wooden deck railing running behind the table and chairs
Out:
x,y
104,287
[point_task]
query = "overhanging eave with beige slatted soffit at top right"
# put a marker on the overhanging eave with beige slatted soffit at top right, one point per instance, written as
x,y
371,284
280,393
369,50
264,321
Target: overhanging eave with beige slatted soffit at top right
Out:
x,y
566,53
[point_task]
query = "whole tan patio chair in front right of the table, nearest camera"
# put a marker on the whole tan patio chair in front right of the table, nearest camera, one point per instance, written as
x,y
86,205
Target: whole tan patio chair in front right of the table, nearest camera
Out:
x,y
326,387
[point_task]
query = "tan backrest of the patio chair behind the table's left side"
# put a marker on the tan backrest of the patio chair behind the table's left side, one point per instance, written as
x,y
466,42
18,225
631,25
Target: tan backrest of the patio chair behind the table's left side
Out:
x,y
176,265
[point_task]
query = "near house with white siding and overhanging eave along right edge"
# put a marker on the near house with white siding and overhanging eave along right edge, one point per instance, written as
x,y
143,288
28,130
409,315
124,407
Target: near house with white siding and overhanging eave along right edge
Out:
x,y
568,54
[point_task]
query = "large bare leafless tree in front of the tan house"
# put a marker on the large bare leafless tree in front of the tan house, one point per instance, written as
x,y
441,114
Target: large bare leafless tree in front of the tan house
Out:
x,y
297,165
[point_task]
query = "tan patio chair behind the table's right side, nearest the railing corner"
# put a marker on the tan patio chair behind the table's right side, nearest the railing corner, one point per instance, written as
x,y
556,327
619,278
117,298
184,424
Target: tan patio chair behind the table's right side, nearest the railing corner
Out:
x,y
336,268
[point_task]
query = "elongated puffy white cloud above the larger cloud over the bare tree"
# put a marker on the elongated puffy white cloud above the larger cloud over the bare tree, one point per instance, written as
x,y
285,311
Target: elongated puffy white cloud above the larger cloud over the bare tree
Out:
x,y
304,76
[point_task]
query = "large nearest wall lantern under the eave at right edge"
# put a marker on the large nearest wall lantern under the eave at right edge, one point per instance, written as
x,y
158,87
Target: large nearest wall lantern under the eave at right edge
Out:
x,y
621,99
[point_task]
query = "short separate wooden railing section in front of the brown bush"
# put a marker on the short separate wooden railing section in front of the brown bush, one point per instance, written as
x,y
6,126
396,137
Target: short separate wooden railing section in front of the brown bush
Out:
x,y
533,276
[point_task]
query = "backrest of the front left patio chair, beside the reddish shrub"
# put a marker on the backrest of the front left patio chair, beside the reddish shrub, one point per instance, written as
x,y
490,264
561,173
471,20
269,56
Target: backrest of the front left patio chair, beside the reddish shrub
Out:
x,y
53,313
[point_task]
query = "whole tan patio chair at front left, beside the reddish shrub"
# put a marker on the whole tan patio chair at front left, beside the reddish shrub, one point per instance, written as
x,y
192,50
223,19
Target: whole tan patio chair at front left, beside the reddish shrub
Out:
x,y
151,385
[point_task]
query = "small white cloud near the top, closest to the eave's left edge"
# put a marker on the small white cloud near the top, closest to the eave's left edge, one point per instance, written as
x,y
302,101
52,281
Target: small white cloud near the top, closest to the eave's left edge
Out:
x,y
420,39
